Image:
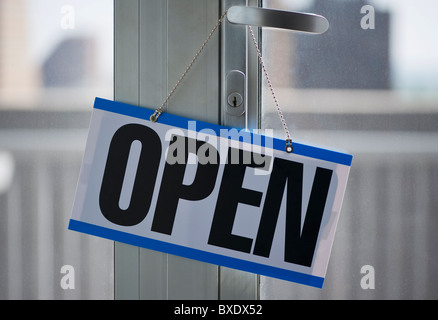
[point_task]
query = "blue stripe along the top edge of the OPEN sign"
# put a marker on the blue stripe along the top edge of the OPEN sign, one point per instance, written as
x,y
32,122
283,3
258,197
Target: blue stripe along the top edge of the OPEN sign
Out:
x,y
181,122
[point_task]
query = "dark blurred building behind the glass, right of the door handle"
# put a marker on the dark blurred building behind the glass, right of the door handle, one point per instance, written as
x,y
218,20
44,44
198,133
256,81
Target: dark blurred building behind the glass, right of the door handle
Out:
x,y
331,61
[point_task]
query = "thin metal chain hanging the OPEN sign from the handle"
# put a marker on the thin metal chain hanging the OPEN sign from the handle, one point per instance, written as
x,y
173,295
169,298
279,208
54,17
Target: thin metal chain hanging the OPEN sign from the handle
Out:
x,y
154,117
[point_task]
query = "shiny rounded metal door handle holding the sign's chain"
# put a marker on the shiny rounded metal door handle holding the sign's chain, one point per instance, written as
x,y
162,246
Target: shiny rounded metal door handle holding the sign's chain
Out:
x,y
261,17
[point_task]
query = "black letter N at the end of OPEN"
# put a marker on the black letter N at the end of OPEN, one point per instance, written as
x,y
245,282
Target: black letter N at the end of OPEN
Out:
x,y
299,245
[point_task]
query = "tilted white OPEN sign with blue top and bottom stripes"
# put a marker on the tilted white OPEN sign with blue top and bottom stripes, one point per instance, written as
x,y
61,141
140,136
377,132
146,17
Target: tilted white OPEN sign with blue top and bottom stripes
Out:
x,y
210,193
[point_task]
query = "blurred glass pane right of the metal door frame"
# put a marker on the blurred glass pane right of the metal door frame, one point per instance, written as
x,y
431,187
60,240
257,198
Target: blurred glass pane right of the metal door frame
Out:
x,y
368,86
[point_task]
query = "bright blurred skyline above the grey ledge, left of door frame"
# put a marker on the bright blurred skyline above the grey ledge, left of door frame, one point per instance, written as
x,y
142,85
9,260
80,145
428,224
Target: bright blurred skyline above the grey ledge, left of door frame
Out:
x,y
55,55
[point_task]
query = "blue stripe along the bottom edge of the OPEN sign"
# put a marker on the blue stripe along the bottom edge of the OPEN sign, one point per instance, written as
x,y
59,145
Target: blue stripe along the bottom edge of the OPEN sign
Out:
x,y
195,254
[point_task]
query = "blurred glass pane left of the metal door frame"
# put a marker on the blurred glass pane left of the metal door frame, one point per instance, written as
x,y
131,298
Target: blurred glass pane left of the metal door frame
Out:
x,y
55,58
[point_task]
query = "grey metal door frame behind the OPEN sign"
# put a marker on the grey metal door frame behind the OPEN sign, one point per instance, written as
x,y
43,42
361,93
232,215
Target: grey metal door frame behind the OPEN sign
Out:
x,y
154,41
